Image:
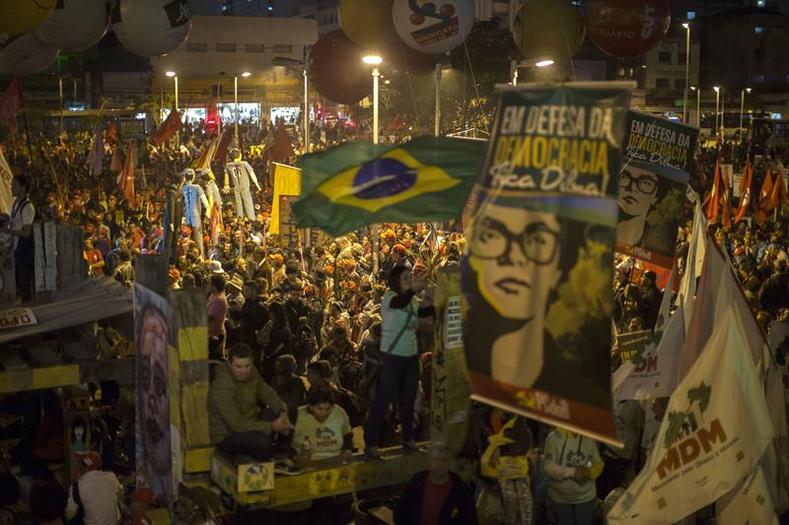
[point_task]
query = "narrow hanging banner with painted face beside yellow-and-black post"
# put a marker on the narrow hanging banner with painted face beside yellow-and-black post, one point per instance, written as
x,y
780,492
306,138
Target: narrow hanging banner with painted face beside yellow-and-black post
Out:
x,y
154,429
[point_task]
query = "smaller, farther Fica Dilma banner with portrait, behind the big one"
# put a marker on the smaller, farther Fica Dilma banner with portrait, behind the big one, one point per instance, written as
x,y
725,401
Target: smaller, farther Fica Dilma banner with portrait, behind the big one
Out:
x,y
652,182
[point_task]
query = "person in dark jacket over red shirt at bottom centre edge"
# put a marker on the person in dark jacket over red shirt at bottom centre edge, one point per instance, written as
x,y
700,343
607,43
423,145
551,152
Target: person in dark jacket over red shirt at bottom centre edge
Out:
x,y
436,495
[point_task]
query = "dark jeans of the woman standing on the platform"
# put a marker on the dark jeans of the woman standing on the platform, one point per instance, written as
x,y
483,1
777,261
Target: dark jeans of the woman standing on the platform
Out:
x,y
399,374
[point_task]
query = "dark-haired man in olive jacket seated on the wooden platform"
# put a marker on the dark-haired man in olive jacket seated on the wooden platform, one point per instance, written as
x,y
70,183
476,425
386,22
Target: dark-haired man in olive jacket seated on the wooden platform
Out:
x,y
246,416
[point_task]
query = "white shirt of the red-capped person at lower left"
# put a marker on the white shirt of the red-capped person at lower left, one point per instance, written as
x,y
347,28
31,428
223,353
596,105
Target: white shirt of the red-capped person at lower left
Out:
x,y
99,492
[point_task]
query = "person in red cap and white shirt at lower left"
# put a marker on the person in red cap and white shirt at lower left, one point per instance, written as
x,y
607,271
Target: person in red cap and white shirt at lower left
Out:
x,y
96,493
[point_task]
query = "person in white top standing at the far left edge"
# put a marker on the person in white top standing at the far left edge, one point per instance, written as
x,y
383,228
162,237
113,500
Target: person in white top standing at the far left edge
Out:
x,y
22,215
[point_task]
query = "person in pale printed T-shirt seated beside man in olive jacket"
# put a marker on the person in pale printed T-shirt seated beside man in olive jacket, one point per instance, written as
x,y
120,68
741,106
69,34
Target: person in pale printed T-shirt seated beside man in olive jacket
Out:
x,y
322,428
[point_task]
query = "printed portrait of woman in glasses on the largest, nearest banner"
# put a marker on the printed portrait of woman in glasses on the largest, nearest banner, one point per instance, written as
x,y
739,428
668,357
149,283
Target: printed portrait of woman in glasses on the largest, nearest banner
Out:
x,y
516,260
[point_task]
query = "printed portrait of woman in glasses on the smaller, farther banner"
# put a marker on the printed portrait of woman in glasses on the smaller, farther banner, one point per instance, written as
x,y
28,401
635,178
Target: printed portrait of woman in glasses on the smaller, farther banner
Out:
x,y
640,191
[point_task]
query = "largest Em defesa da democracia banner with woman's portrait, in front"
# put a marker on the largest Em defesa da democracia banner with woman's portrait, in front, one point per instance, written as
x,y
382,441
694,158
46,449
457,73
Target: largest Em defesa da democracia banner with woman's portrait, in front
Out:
x,y
538,270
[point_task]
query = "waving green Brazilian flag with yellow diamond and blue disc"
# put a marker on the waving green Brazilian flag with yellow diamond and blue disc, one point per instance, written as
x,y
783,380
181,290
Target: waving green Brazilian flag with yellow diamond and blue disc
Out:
x,y
358,183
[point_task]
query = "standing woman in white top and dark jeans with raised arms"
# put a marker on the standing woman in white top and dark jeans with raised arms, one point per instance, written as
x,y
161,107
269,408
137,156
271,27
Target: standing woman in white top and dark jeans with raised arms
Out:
x,y
399,372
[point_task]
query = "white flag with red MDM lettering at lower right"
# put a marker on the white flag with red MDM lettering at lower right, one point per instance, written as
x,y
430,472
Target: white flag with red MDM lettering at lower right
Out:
x,y
715,430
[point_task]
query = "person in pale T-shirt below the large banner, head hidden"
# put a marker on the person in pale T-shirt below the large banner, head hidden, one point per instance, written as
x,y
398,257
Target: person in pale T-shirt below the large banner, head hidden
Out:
x,y
572,464
